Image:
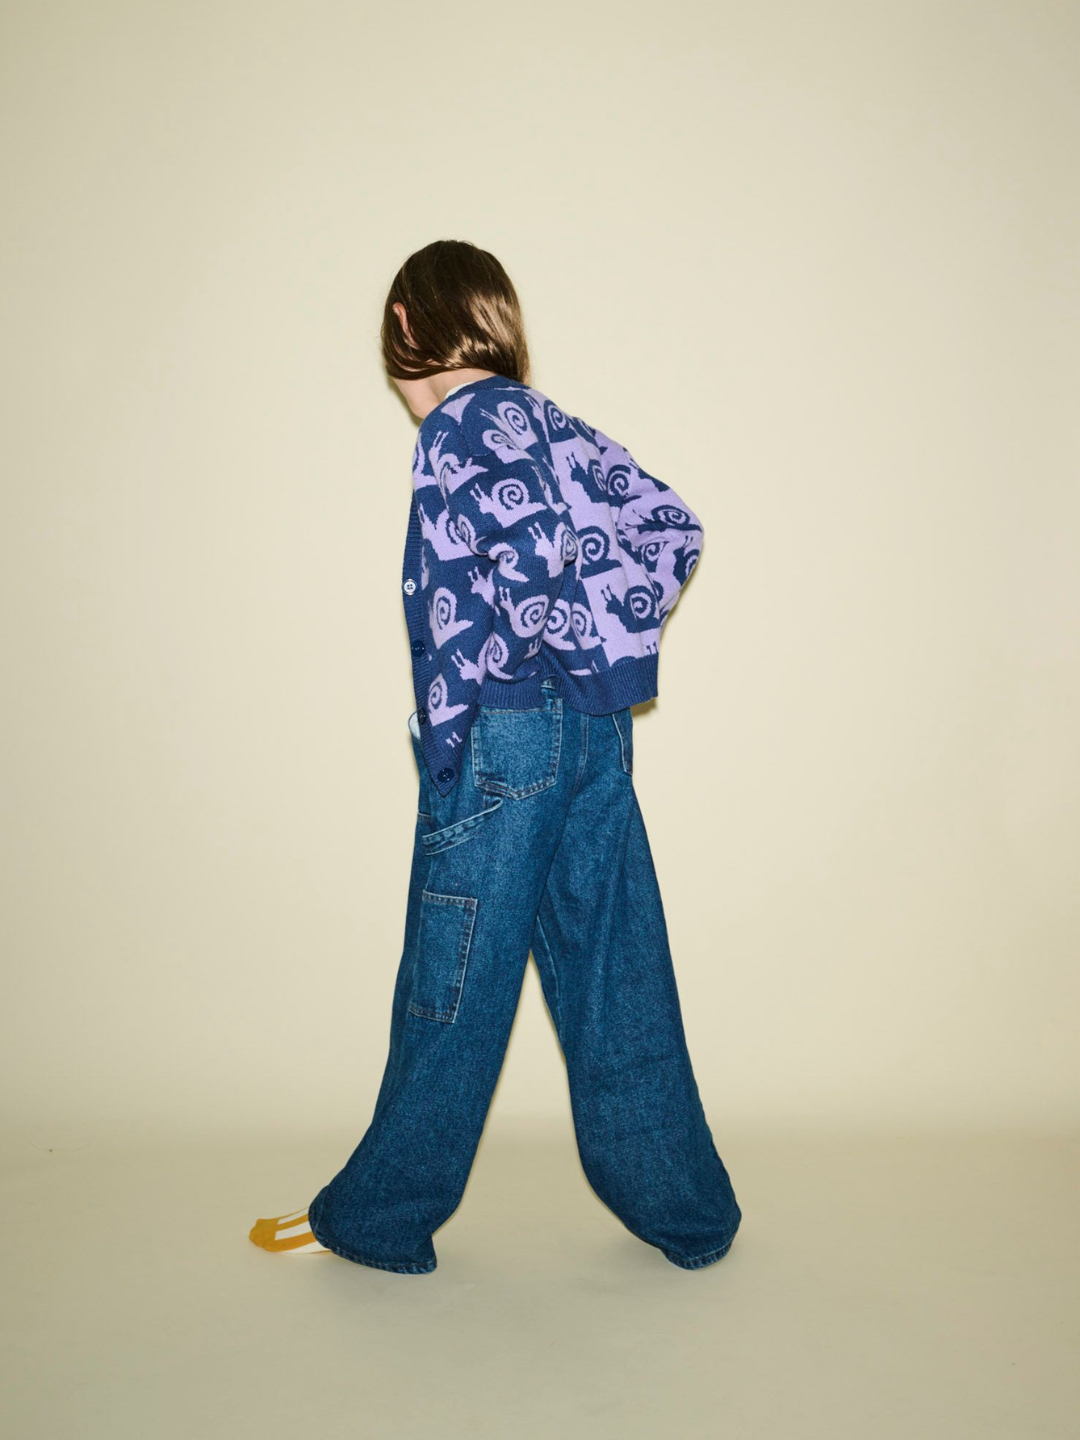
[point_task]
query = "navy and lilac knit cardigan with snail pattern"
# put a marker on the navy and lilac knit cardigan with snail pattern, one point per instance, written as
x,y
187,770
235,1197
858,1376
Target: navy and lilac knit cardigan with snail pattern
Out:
x,y
538,551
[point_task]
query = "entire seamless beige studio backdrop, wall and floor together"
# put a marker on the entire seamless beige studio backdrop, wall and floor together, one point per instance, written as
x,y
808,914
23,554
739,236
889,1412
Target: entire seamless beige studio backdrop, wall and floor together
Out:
x,y
816,266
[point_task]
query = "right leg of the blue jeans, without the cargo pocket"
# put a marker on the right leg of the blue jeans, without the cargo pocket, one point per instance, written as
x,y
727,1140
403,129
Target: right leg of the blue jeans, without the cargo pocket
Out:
x,y
603,951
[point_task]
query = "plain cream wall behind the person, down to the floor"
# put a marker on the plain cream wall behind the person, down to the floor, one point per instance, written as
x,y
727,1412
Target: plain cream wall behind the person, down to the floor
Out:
x,y
819,273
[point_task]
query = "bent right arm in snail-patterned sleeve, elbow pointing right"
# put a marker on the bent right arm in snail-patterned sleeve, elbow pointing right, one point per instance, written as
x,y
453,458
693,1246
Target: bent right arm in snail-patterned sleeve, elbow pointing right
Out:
x,y
654,523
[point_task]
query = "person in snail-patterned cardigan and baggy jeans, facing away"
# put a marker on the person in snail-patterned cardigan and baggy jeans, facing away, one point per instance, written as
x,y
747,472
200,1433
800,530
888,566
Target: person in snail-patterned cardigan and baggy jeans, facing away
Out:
x,y
541,567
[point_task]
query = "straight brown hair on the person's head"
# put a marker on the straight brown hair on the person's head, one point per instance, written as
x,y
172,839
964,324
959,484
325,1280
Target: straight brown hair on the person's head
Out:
x,y
463,313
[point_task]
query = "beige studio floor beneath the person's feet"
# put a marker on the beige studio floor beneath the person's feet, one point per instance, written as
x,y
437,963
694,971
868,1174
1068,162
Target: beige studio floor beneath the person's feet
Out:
x,y
881,1287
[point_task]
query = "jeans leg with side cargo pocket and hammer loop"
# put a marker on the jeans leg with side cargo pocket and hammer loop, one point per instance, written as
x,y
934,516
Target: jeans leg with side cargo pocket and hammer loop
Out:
x,y
479,870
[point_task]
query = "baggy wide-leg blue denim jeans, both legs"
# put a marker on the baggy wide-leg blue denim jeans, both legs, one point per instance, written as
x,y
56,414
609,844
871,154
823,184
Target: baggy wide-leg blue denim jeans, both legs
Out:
x,y
541,846
